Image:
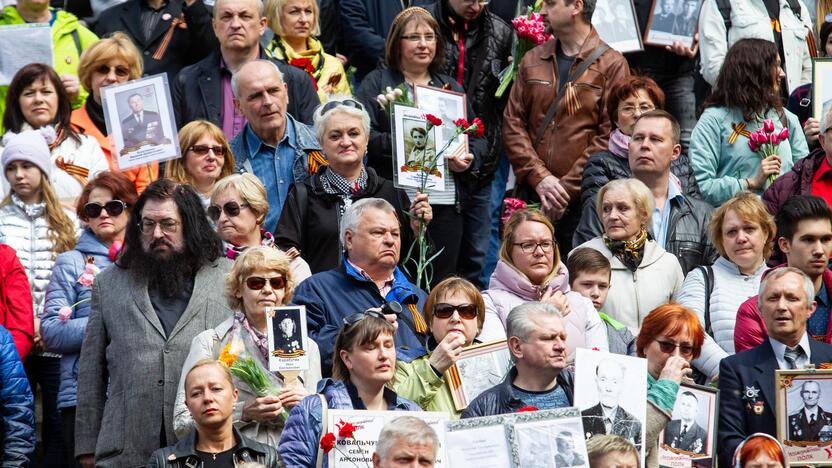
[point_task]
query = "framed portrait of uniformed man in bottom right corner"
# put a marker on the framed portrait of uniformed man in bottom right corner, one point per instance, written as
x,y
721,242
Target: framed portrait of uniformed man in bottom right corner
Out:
x,y
804,415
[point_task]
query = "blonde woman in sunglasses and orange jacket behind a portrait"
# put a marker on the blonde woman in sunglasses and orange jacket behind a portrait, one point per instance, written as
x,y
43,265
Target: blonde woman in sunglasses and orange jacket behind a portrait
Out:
x,y
109,61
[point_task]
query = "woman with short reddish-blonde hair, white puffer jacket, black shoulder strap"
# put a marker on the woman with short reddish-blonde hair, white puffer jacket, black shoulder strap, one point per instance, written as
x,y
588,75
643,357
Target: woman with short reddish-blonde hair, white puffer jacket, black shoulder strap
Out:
x,y
742,231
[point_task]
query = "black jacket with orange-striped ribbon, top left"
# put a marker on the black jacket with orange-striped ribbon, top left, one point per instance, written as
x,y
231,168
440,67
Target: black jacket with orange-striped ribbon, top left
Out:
x,y
188,45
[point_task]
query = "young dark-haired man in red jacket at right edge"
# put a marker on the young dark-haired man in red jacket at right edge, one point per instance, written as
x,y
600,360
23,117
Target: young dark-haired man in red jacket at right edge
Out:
x,y
804,234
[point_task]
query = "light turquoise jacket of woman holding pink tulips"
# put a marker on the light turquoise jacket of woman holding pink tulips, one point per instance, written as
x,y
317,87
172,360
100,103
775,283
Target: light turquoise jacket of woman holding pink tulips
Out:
x,y
719,166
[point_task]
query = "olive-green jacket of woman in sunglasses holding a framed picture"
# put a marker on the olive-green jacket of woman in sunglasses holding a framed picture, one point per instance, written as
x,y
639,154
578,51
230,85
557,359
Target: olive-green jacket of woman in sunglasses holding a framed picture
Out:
x,y
417,381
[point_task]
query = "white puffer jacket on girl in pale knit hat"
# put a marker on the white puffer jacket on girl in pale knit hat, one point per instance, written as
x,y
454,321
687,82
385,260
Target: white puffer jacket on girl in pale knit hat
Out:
x,y
23,227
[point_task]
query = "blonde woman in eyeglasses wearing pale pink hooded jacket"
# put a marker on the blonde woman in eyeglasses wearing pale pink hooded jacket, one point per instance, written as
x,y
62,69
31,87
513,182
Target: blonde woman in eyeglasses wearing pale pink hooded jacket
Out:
x,y
529,270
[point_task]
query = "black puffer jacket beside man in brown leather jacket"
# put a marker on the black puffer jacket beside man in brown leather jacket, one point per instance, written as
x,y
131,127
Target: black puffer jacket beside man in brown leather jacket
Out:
x,y
487,44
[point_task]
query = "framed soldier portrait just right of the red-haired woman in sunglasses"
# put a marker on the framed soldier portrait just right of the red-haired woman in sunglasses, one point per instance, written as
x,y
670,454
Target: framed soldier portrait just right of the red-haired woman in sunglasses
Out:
x,y
690,436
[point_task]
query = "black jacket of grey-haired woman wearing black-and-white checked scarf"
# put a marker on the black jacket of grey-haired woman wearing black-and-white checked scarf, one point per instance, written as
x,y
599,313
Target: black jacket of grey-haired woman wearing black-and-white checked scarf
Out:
x,y
313,227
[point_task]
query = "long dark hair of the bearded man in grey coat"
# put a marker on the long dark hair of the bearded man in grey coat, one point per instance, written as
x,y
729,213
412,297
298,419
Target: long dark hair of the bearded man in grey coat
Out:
x,y
202,244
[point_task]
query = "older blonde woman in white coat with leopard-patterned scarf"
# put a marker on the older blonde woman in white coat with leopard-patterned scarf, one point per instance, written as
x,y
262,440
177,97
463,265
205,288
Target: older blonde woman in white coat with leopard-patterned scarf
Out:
x,y
644,275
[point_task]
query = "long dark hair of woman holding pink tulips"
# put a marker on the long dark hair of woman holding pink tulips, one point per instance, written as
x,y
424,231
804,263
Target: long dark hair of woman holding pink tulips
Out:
x,y
747,79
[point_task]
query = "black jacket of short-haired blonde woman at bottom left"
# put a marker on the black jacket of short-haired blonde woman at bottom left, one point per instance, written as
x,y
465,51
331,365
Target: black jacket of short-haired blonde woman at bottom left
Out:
x,y
183,454
